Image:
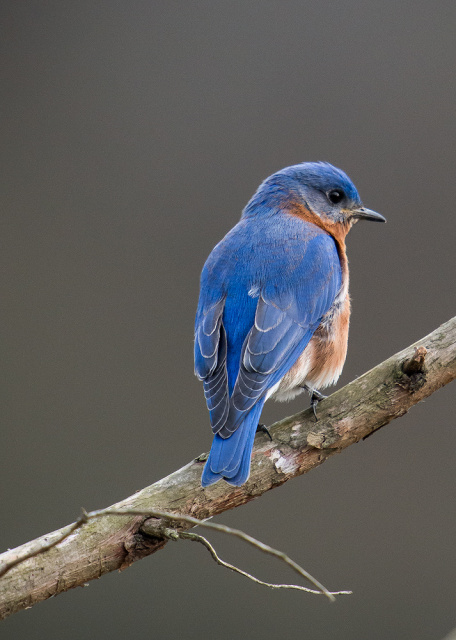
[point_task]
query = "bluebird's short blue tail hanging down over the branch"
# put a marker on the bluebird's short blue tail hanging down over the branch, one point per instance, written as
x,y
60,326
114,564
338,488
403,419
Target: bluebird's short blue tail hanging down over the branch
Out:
x,y
230,457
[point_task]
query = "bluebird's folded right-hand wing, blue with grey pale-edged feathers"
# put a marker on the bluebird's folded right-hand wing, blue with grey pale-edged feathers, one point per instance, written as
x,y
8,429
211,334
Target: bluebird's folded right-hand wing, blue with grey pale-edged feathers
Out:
x,y
290,307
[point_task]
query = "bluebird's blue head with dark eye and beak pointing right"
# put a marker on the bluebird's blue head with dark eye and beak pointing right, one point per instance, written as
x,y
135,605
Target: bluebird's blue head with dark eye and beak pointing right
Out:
x,y
316,191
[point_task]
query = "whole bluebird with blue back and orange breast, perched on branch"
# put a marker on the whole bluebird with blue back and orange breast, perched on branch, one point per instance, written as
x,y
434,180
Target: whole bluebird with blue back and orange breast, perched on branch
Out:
x,y
274,308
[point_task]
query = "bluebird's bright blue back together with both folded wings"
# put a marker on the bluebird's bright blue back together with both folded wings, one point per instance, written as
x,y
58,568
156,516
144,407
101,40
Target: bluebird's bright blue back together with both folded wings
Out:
x,y
245,344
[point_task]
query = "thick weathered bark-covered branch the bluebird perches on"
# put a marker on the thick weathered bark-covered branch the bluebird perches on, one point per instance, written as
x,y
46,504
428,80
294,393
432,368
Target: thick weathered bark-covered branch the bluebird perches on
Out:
x,y
299,444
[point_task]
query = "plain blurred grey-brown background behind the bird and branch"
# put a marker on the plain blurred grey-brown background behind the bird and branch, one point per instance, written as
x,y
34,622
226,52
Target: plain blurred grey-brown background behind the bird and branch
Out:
x,y
133,133
